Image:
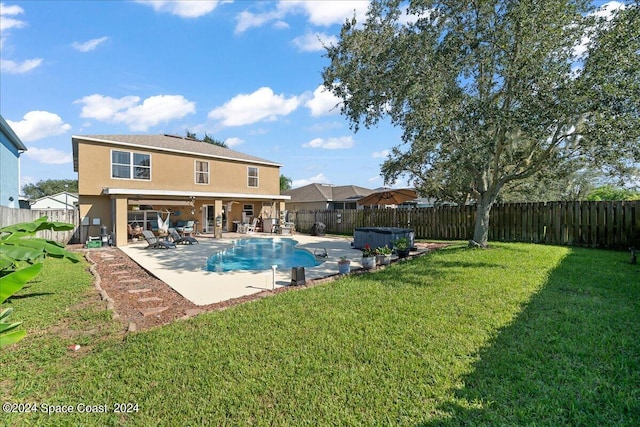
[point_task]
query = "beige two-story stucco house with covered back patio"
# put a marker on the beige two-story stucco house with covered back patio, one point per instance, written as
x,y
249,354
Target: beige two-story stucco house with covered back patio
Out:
x,y
126,179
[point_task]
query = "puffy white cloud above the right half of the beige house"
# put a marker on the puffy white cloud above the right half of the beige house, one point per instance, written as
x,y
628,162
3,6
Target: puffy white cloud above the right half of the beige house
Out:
x,y
260,105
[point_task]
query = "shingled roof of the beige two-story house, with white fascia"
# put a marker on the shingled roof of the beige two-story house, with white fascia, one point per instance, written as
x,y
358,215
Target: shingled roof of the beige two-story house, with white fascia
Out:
x,y
168,143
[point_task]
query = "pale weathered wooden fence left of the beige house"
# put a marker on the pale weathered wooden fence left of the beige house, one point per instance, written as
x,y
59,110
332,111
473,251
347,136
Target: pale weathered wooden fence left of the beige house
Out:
x,y
10,216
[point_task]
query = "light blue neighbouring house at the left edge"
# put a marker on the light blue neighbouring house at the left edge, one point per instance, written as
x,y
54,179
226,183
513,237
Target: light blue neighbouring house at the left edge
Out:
x,y
10,149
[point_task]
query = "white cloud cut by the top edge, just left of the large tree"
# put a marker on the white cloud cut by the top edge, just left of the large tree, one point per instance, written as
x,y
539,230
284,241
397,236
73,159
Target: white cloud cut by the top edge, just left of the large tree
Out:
x,y
318,12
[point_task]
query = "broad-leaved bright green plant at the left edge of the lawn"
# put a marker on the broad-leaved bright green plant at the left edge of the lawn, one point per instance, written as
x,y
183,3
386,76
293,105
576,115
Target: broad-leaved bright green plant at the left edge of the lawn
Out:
x,y
21,256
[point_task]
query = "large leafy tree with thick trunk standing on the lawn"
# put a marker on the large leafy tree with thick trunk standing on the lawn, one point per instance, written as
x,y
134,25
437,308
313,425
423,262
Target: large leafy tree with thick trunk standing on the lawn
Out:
x,y
489,93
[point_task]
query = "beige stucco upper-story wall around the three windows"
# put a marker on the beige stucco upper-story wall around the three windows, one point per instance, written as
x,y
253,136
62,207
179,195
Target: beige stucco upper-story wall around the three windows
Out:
x,y
172,171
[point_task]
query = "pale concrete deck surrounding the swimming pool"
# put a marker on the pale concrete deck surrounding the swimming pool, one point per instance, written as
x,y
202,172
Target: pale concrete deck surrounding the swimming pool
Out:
x,y
184,268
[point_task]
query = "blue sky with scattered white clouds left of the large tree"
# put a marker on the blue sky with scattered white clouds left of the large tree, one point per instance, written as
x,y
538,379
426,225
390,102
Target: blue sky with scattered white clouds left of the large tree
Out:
x,y
245,72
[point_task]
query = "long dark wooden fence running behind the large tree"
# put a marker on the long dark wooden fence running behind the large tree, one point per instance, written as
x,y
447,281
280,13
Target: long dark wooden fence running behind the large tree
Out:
x,y
613,225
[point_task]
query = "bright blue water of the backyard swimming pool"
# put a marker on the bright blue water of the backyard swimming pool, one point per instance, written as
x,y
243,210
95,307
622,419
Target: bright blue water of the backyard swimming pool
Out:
x,y
261,254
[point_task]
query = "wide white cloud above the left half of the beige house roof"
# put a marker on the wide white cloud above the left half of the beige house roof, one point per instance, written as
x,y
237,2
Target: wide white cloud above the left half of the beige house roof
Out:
x,y
128,110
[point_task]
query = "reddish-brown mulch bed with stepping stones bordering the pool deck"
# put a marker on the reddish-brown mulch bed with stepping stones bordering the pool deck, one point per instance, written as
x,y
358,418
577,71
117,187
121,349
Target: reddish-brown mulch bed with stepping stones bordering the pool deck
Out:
x,y
141,301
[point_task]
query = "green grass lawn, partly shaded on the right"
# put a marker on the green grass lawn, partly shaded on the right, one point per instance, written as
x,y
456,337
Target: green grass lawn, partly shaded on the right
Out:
x,y
513,335
